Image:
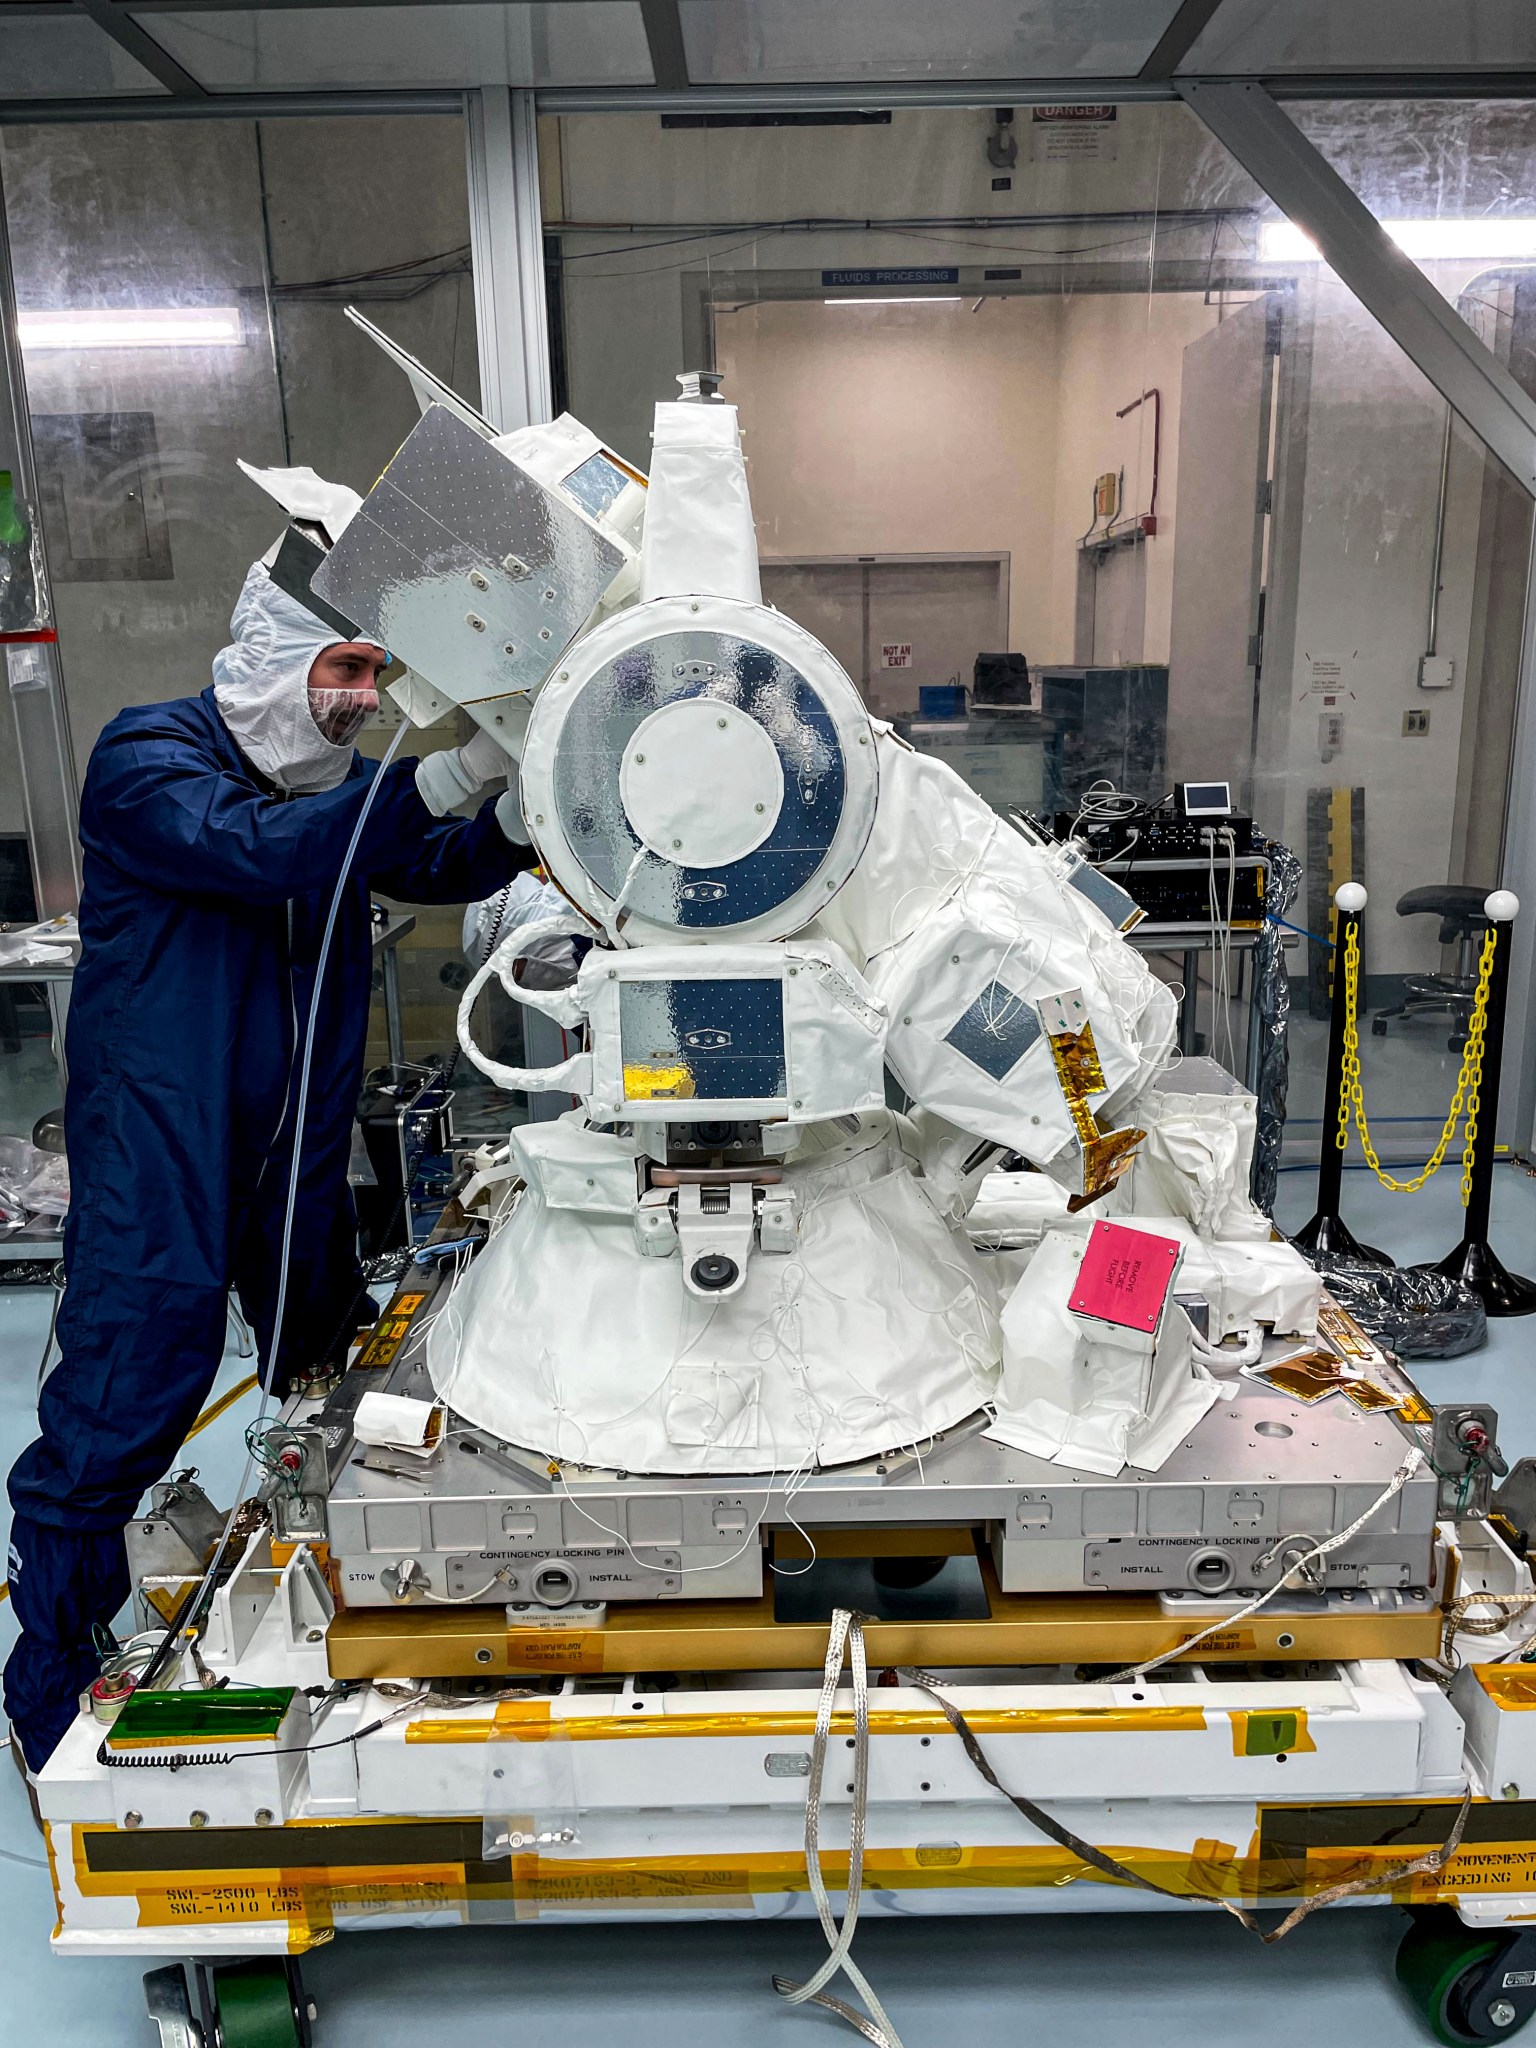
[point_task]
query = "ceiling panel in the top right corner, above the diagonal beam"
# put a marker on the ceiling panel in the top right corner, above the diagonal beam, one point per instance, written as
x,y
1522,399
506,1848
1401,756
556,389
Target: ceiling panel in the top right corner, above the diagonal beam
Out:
x,y
1365,36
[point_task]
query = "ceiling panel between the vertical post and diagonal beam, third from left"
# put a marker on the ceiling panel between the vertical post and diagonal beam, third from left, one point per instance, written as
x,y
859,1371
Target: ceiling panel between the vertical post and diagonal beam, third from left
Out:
x,y
792,42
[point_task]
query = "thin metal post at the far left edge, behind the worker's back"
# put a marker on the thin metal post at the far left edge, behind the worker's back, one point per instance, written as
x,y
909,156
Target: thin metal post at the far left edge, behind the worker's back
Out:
x,y
32,667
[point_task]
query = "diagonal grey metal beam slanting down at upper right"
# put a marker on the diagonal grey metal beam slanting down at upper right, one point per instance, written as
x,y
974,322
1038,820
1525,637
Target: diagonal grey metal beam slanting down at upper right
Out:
x,y
1424,325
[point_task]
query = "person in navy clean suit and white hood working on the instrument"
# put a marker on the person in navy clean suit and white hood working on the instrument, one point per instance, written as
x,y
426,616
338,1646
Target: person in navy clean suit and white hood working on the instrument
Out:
x,y
214,835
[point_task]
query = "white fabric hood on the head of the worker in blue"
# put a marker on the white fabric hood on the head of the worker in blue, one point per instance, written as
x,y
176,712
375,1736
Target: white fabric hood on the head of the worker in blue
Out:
x,y
261,685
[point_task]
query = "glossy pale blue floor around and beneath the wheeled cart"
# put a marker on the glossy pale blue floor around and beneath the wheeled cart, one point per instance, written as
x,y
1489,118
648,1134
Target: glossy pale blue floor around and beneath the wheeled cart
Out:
x,y
1070,1979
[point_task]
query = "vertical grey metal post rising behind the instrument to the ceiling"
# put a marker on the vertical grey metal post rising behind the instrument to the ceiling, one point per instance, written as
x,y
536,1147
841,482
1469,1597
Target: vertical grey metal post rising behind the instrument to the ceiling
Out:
x,y
509,257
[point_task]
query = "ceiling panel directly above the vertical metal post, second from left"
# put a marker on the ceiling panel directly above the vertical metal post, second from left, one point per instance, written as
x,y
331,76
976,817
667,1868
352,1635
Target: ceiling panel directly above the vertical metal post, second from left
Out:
x,y
280,50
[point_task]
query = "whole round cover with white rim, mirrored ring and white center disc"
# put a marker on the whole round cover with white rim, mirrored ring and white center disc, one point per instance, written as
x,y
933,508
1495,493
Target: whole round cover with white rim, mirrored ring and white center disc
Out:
x,y
701,769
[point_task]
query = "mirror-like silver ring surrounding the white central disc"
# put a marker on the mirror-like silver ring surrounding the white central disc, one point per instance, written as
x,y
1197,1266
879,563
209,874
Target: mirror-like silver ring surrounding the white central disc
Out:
x,y
591,749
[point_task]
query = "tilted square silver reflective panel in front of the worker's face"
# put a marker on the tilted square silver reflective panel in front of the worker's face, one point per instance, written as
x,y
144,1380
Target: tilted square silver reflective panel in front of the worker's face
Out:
x,y
466,566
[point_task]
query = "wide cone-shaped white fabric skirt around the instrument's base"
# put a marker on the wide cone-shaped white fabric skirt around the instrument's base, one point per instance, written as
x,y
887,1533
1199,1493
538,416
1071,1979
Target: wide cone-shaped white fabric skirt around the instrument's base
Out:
x,y
878,1330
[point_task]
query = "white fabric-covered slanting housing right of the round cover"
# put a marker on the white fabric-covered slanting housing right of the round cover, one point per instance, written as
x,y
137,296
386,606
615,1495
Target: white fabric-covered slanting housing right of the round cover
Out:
x,y
964,927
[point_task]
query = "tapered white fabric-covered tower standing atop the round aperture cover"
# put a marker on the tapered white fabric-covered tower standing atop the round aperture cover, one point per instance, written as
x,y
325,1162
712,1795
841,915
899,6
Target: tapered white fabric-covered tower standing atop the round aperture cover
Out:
x,y
699,536
